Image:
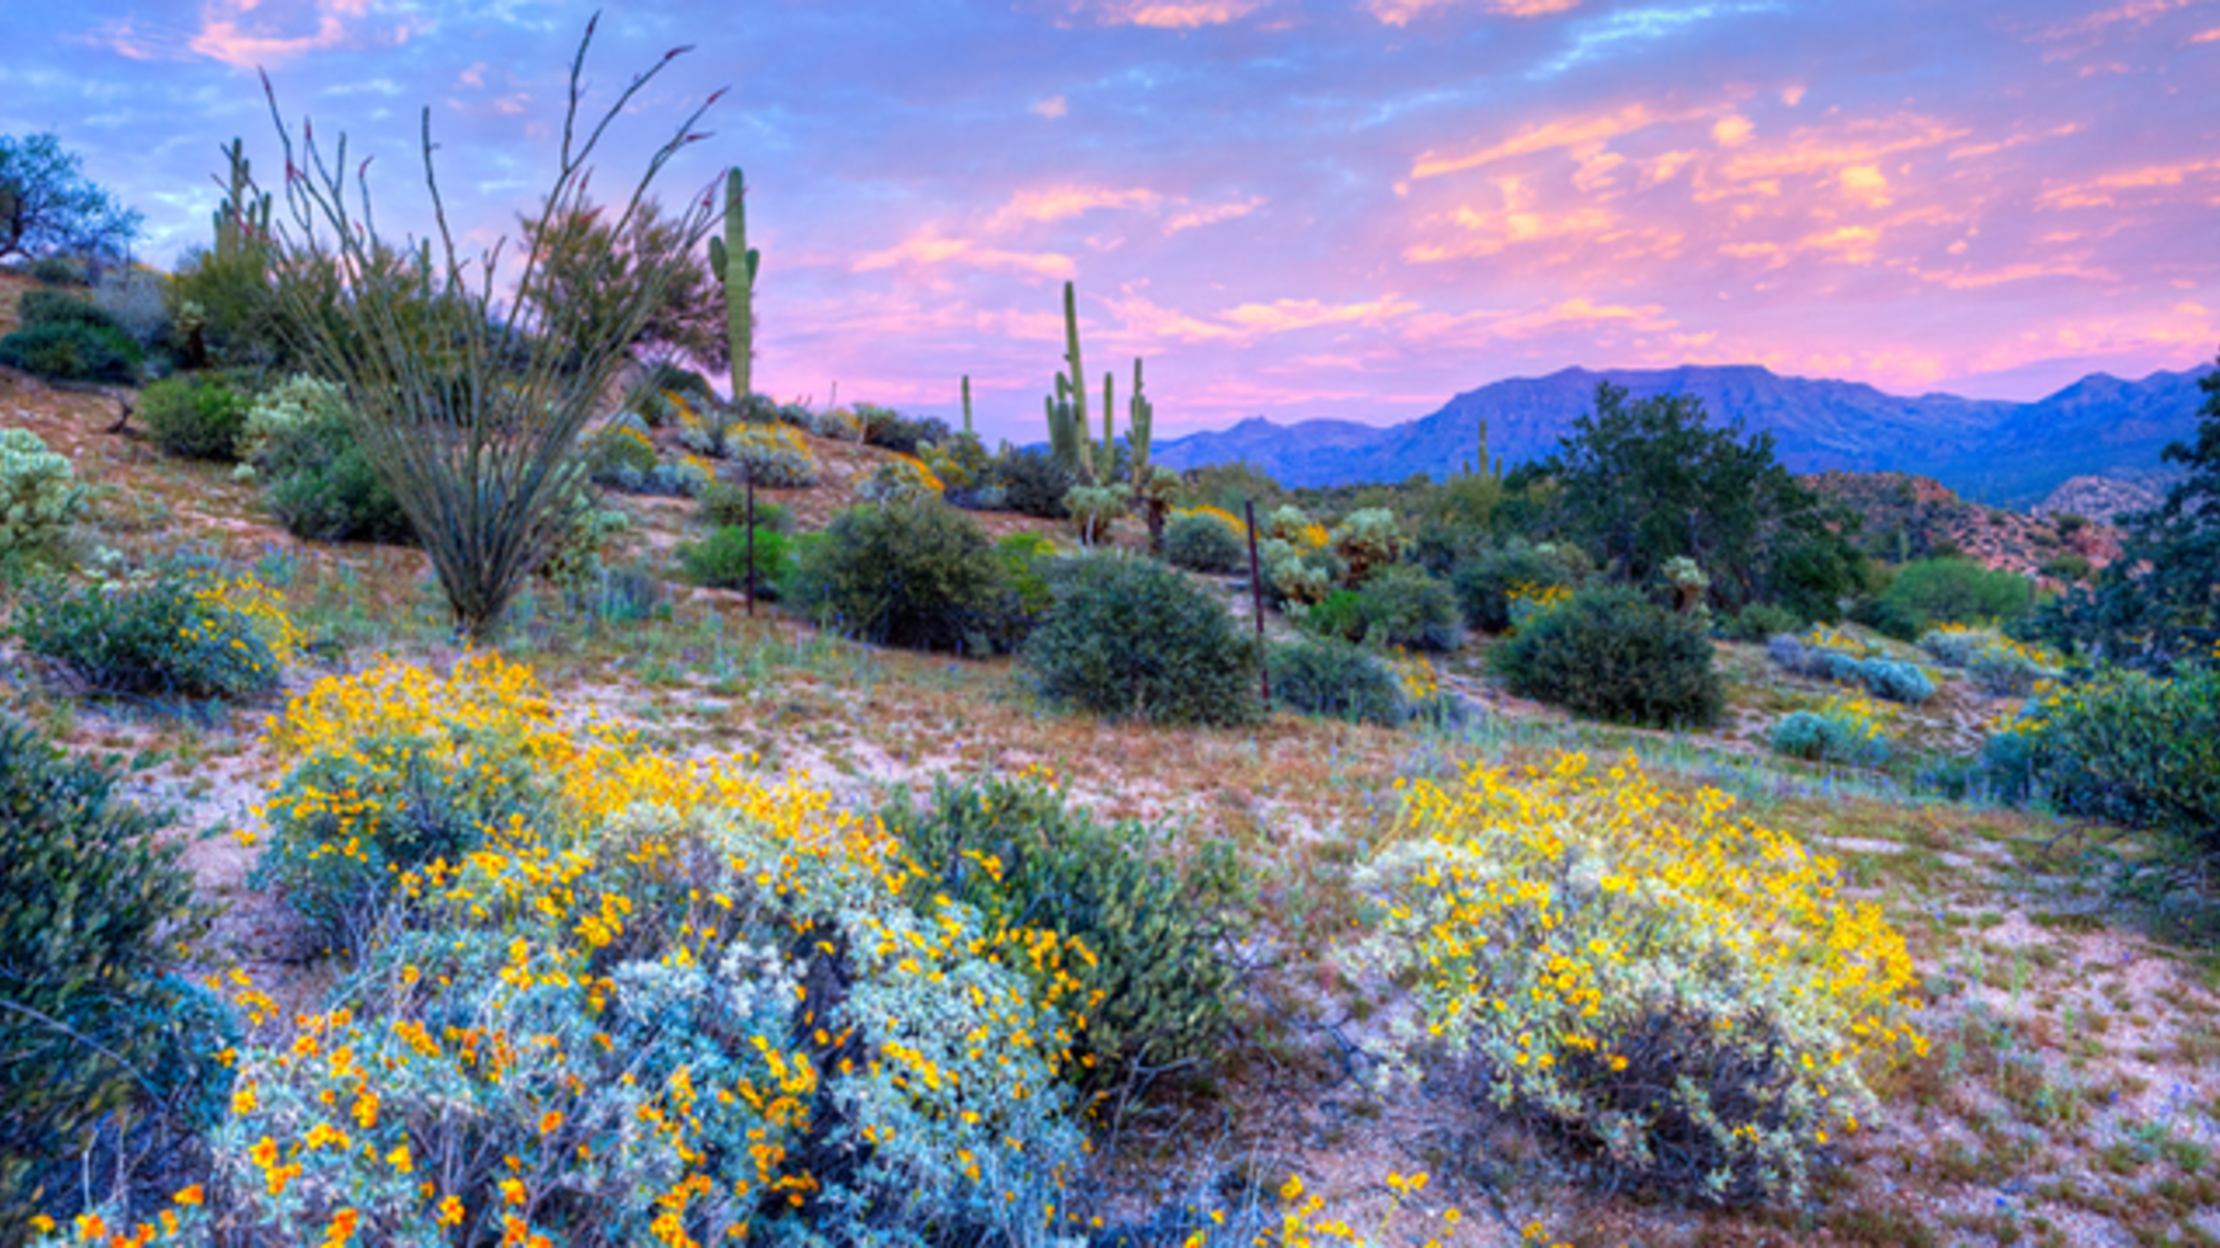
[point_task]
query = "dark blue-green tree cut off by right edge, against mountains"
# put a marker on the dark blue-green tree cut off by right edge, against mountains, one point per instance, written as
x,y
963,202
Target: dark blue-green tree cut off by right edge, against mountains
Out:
x,y
2159,605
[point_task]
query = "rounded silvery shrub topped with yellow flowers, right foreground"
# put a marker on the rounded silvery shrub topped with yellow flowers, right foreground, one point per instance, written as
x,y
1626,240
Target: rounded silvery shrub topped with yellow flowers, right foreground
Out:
x,y
1675,992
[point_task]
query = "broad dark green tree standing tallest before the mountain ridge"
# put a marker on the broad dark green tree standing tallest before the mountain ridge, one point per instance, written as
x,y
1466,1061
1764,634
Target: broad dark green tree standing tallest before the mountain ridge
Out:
x,y
1648,481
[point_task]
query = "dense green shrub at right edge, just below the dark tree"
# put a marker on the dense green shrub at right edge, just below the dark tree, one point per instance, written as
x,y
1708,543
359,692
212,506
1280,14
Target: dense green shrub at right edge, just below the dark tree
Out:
x,y
2128,749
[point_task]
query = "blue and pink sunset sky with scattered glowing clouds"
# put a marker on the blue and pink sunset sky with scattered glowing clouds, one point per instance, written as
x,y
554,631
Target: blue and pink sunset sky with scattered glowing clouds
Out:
x,y
1289,208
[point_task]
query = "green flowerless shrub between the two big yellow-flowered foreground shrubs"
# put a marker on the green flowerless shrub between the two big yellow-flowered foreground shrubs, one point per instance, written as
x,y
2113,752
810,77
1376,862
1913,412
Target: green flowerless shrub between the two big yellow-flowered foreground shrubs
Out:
x,y
1156,923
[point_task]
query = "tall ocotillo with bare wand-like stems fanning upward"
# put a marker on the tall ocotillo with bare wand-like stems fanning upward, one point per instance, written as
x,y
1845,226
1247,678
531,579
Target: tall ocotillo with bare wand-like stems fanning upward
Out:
x,y
465,394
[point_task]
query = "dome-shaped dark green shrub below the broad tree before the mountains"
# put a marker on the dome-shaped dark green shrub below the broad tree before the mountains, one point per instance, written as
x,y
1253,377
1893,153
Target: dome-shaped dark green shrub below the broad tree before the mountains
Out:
x,y
1615,656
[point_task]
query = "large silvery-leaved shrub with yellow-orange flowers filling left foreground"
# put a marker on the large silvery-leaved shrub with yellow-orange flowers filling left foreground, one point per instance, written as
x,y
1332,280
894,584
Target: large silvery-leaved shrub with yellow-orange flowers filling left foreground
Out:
x,y
667,1005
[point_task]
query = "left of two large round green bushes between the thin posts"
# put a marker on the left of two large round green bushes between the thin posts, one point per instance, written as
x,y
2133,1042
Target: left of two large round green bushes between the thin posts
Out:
x,y
911,574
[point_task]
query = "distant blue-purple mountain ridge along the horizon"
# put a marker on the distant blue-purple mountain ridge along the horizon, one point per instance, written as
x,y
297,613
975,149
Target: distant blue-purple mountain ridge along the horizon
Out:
x,y
1992,452
